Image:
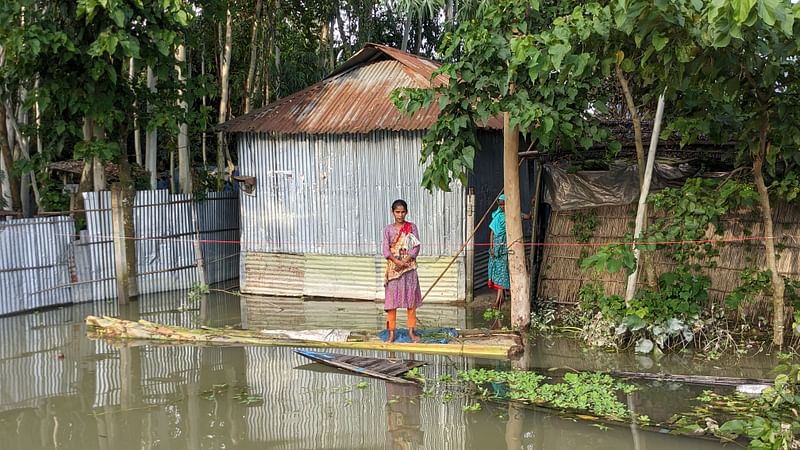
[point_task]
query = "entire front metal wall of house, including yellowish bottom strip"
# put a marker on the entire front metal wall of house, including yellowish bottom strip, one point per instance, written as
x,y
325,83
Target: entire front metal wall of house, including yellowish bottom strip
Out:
x,y
330,195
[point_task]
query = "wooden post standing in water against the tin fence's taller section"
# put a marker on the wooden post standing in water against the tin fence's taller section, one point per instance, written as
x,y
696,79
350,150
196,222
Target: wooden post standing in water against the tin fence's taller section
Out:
x,y
124,245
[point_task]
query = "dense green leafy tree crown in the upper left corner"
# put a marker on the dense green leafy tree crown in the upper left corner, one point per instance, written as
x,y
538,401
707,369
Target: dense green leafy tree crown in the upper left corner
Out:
x,y
71,59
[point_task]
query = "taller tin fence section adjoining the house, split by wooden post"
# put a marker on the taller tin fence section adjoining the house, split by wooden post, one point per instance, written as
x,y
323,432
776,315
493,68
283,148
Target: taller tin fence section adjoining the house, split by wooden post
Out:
x,y
165,231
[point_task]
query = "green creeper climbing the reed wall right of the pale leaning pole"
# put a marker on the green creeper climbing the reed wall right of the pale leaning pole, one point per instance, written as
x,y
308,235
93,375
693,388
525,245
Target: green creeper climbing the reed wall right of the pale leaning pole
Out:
x,y
670,313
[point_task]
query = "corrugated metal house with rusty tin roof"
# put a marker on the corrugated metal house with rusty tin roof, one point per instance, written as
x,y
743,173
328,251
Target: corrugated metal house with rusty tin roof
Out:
x,y
328,161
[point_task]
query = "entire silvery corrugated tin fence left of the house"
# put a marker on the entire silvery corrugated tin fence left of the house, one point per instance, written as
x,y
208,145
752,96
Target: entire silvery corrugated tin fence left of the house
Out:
x,y
41,263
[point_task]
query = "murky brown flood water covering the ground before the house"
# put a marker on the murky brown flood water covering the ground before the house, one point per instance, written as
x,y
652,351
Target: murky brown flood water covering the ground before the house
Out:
x,y
61,390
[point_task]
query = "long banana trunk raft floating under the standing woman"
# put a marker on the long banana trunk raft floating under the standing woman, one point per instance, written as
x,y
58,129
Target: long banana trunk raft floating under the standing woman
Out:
x,y
469,343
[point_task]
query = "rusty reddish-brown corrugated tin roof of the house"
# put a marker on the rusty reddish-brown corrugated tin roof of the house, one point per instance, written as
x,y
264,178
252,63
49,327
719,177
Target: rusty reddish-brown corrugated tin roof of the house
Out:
x,y
354,98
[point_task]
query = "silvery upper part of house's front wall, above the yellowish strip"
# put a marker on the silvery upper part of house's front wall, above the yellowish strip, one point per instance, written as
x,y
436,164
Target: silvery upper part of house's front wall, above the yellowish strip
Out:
x,y
332,195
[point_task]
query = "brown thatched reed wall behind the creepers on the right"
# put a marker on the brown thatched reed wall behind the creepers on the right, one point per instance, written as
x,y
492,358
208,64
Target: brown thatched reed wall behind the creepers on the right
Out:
x,y
561,277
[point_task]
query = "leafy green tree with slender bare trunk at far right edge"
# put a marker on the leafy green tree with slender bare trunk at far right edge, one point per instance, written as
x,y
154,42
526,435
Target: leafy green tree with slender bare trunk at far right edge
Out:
x,y
746,70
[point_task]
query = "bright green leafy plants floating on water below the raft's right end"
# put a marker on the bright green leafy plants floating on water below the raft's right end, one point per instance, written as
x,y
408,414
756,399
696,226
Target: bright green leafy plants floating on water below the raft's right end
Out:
x,y
594,393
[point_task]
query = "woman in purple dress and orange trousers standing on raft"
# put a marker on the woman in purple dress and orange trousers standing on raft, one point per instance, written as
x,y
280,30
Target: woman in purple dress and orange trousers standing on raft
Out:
x,y
400,248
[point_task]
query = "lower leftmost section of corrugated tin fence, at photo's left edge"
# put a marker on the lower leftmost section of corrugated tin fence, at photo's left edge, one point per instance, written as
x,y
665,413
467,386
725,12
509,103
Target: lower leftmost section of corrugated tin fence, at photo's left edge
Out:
x,y
34,263
